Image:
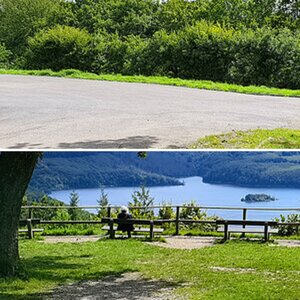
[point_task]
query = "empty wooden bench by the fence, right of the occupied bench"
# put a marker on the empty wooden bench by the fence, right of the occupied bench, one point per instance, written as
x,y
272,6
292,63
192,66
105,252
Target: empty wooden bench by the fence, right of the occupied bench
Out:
x,y
266,230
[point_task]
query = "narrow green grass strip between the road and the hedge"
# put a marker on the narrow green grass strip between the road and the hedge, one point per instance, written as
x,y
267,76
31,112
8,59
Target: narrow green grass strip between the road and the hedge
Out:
x,y
199,84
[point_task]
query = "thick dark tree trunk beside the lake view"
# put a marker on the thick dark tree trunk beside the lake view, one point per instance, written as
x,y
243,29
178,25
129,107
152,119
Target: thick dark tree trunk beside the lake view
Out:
x,y
16,169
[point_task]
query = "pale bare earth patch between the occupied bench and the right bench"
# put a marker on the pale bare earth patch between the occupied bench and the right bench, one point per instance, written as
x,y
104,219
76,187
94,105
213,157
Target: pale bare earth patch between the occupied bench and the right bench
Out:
x,y
186,242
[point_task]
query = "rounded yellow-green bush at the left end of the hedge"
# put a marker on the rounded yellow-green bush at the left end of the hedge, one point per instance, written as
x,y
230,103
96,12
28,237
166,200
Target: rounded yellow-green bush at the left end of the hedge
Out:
x,y
61,47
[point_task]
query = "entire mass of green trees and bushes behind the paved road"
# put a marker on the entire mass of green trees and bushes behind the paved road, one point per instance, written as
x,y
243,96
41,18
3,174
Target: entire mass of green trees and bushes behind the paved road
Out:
x,y
253,42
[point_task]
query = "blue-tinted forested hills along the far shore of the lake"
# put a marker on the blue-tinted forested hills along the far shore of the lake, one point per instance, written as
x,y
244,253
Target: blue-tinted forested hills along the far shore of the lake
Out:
x,y
60,170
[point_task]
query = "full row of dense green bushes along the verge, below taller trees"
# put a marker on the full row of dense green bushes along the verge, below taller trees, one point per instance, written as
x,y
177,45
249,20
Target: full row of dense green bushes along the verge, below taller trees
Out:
x,y
203,51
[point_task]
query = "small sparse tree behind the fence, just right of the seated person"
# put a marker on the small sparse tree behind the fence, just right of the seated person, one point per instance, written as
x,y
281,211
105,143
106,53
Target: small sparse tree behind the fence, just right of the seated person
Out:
x,y
143,200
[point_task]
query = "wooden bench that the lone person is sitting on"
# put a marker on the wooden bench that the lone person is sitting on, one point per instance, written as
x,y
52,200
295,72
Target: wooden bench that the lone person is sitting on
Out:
x,y
151,230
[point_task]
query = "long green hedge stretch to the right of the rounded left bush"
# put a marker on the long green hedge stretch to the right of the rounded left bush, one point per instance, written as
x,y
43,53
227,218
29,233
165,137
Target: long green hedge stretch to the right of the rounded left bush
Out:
x,y
209,52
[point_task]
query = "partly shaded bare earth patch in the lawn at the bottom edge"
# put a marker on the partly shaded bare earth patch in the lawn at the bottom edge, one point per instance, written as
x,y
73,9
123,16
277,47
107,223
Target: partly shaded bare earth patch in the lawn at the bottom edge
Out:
x,y
131,286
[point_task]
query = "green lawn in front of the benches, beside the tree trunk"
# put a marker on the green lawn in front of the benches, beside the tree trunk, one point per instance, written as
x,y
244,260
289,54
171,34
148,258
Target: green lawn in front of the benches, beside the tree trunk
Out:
x,y
275,273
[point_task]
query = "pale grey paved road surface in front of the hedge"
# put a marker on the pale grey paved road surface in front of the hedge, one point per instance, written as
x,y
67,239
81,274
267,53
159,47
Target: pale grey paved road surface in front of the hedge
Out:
x,y
48,112
